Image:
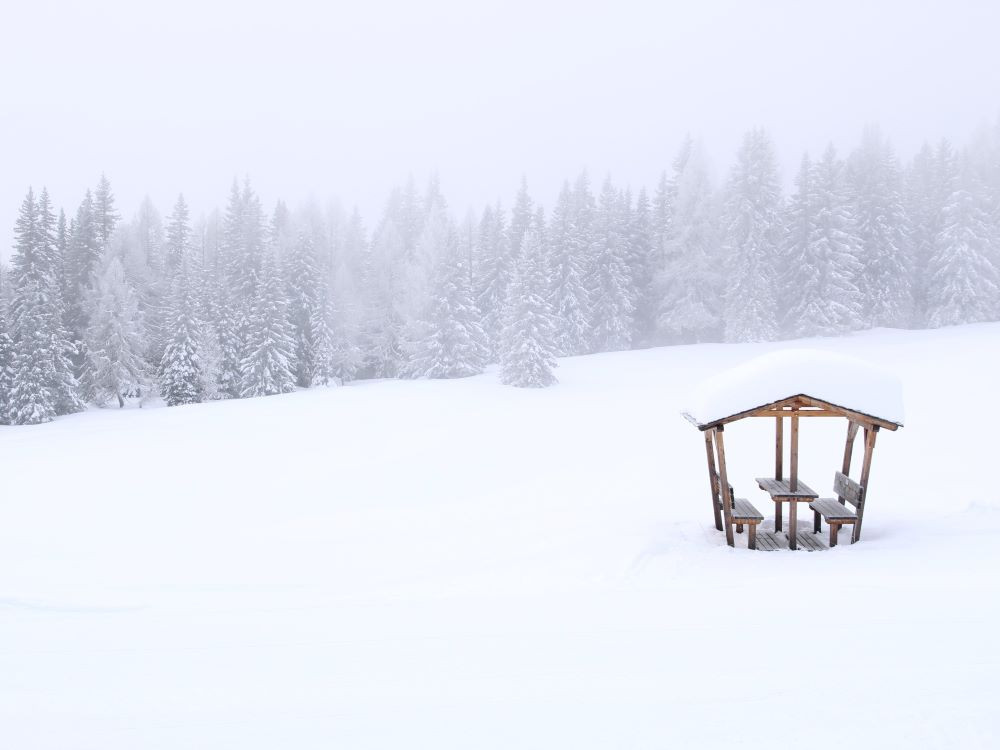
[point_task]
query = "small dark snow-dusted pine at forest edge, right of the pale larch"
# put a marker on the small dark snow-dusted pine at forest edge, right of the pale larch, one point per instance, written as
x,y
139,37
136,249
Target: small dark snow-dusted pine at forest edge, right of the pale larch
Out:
x,y
181,376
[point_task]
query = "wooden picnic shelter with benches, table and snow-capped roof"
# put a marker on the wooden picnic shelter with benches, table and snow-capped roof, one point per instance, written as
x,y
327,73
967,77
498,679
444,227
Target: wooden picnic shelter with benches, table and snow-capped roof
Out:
x,y
793,385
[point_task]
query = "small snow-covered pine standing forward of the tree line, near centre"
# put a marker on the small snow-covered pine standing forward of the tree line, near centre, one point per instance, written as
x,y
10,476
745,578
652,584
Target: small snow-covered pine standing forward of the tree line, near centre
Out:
x,y
526,353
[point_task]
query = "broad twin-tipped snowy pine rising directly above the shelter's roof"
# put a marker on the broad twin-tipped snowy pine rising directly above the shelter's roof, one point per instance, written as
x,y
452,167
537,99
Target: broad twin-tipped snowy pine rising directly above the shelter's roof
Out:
x,y
821,256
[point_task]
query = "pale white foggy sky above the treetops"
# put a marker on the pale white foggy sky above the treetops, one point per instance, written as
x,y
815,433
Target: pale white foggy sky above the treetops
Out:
x,y
345,100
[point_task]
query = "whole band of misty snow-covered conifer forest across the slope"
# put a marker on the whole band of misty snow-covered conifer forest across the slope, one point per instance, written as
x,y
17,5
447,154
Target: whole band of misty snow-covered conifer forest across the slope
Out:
x,y
247,302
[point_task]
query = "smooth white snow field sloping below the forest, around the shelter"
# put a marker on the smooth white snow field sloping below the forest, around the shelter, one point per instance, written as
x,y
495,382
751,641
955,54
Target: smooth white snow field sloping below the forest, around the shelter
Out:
x,y
463,565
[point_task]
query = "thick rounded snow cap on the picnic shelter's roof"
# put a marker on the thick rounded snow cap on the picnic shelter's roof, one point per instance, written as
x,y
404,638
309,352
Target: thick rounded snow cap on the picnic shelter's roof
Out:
x,y
837,379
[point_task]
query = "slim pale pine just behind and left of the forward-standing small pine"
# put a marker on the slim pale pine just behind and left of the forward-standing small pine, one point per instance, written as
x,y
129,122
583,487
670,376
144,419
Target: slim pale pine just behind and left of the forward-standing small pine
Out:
x,y
494,270
